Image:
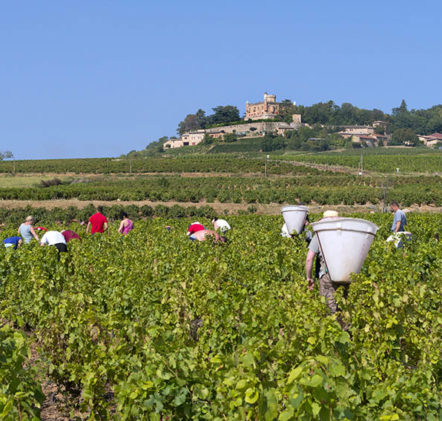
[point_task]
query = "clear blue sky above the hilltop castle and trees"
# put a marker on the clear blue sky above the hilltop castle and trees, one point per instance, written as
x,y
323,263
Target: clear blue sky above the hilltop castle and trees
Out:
x,y
100,78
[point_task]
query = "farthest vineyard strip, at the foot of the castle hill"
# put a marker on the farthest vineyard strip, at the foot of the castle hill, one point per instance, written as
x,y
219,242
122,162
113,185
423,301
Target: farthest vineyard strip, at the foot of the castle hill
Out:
x,y
413,160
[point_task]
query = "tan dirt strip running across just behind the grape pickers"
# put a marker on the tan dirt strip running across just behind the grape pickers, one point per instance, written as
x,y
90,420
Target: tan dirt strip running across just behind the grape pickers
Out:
x,y
232,208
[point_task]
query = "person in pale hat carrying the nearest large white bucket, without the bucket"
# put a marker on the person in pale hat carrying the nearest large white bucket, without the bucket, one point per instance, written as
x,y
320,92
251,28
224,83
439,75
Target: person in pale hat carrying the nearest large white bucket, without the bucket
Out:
x,y
327,287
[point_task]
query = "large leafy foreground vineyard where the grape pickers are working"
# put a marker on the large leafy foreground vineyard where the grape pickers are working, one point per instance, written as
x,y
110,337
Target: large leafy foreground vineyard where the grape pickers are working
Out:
x,y
154,326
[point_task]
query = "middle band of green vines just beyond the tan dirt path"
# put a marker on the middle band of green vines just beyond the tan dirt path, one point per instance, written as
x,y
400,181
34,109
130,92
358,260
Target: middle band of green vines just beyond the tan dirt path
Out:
x,y
307,186
